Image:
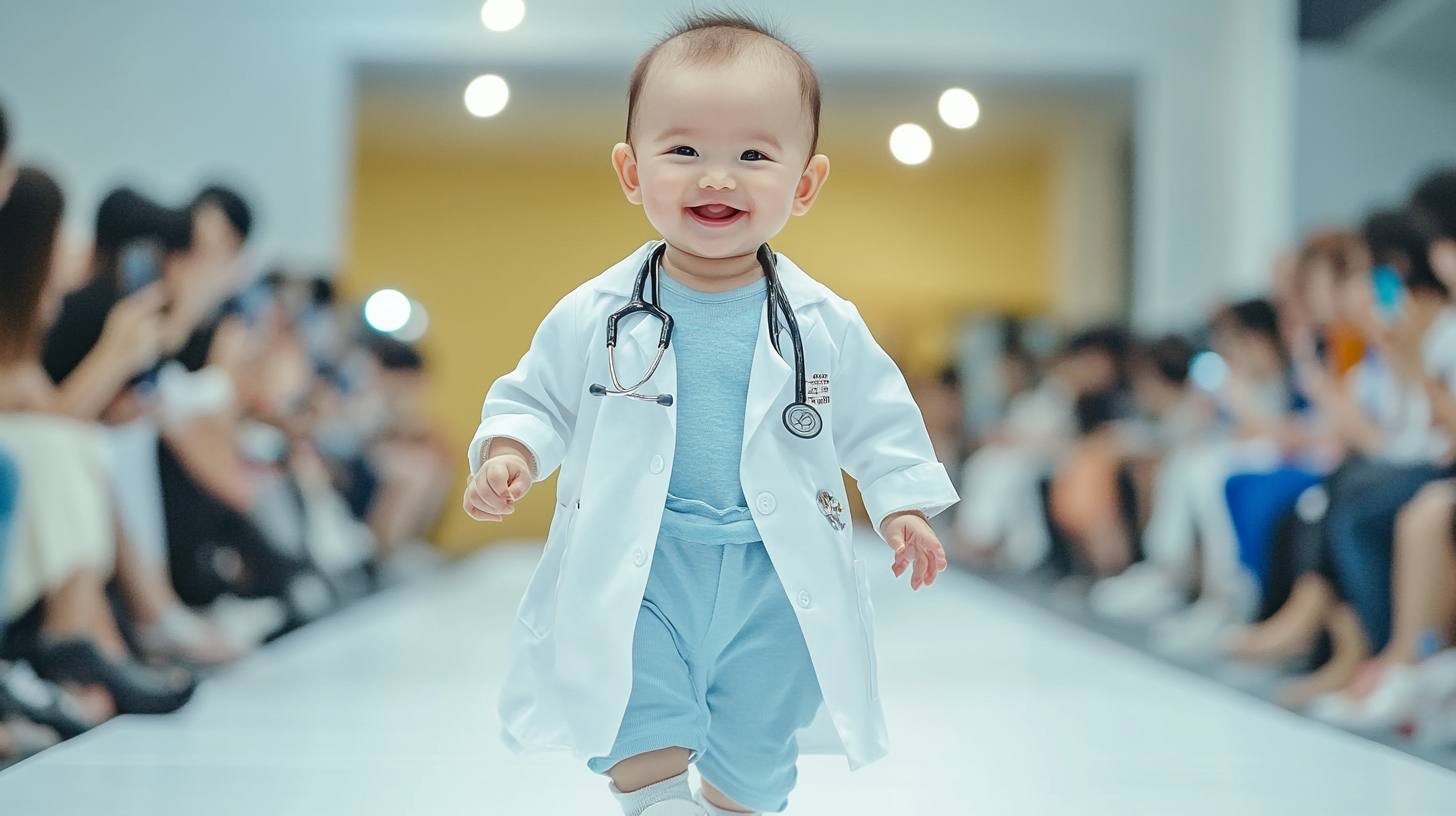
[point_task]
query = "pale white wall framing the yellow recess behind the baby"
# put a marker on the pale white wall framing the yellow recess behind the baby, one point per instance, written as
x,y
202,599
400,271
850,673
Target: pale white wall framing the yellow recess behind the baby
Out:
x,y
170,93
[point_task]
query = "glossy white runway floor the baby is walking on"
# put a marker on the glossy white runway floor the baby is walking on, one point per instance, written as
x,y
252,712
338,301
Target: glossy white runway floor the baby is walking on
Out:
x,y
995,709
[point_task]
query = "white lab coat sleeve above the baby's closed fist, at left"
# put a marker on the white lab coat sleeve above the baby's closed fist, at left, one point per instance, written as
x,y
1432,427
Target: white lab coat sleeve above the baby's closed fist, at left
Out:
x,y
537,404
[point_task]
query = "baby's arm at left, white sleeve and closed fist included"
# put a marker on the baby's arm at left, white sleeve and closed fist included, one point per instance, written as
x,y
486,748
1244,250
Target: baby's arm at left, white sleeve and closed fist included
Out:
x,y
529,417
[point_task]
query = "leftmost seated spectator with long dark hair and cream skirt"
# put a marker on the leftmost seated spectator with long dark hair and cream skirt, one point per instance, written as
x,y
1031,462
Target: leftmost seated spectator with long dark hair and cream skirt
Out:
x,y
68,549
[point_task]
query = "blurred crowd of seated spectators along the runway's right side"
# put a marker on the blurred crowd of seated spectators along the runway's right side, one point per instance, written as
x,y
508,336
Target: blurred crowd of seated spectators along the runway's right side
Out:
x,y
1273,487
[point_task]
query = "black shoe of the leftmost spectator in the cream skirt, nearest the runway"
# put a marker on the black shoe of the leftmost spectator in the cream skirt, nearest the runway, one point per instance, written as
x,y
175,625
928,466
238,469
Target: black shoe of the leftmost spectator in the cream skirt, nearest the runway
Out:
x,y
136,688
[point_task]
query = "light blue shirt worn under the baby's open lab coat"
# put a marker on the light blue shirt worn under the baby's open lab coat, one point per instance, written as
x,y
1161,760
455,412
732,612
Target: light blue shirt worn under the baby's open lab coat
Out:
x,y
714,339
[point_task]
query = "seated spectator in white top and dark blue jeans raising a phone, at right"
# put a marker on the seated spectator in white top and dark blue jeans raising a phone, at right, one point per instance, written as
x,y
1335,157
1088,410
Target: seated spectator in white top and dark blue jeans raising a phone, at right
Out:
x,y
1384,415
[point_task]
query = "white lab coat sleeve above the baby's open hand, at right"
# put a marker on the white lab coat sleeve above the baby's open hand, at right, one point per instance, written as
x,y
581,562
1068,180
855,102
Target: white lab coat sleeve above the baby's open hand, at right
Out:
x,y
880,435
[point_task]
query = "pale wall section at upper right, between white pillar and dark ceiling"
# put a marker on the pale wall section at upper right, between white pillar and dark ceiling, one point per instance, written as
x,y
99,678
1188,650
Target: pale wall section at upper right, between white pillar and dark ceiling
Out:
x,y
1366,135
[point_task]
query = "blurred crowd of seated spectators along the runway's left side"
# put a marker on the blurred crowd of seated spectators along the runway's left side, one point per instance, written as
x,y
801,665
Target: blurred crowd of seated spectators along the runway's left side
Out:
x,y
196,457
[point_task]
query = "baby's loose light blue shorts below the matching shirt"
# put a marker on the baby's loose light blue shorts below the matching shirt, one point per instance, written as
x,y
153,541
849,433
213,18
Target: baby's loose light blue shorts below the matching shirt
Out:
x,y
719,667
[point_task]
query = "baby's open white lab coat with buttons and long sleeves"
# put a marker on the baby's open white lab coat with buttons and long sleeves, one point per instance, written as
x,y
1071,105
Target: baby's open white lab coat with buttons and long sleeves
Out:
x,y
571,645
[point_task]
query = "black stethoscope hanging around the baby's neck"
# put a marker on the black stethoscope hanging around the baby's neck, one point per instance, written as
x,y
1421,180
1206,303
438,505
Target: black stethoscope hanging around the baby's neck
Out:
x,y
800,417
